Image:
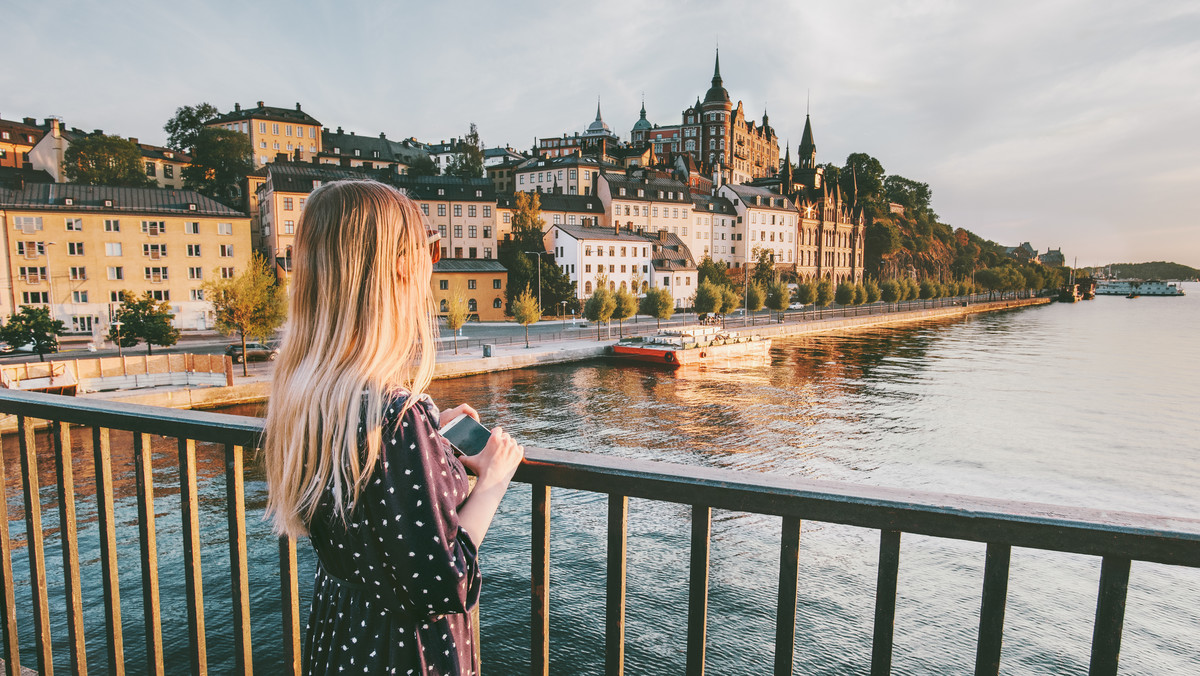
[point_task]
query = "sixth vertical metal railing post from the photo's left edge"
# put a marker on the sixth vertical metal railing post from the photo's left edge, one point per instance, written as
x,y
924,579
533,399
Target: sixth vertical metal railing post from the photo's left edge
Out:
x,y
190,507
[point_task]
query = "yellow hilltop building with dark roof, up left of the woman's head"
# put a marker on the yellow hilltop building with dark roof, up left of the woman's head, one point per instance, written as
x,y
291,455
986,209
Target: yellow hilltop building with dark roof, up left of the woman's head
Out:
x,y
274,130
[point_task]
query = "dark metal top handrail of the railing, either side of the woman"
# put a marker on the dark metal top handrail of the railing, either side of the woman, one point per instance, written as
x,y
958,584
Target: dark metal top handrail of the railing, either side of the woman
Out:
x,y
1139,537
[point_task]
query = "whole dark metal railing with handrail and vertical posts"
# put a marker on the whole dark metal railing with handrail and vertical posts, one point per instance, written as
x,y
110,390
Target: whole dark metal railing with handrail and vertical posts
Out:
x,y
1118,539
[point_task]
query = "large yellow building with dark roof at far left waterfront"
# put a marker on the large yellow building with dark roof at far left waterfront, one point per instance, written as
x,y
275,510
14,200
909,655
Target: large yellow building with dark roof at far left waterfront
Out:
x,y
76,248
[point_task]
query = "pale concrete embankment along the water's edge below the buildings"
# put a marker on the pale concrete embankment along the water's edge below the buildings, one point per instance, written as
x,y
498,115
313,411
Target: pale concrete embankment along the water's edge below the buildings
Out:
x,y
255,388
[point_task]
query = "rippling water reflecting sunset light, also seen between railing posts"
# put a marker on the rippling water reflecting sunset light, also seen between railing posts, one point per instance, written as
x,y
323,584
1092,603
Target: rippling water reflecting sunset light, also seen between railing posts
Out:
x,y
1087,405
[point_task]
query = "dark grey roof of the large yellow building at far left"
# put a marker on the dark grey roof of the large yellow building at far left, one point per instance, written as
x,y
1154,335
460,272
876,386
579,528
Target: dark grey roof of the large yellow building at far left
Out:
x,y
52,198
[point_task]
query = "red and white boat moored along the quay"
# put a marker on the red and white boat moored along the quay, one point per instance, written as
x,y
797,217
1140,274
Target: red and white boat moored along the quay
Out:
x,y
688,346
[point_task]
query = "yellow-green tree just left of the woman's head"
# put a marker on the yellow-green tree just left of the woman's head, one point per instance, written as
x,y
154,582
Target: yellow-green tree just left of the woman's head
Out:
x,y
253,306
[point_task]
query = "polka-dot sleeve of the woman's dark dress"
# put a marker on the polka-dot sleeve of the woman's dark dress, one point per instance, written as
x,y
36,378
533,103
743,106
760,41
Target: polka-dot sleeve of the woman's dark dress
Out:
x,y
415,513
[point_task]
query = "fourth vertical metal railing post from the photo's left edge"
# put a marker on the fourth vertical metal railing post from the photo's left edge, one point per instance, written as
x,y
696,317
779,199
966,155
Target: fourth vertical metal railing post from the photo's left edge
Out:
x,y
101,451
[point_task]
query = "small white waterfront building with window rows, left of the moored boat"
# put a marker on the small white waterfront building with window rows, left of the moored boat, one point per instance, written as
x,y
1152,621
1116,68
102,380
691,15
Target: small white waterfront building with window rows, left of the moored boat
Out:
x,y
586,254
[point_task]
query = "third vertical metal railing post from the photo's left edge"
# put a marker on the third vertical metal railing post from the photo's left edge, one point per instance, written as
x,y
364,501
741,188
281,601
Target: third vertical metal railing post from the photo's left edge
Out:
x,y
69,539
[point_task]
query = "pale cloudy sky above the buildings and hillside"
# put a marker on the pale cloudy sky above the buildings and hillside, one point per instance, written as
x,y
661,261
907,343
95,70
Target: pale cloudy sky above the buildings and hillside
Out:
x,y
1061,123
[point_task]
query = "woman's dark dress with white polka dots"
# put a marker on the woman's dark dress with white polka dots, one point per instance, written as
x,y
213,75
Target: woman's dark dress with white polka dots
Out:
x,y
395,584
